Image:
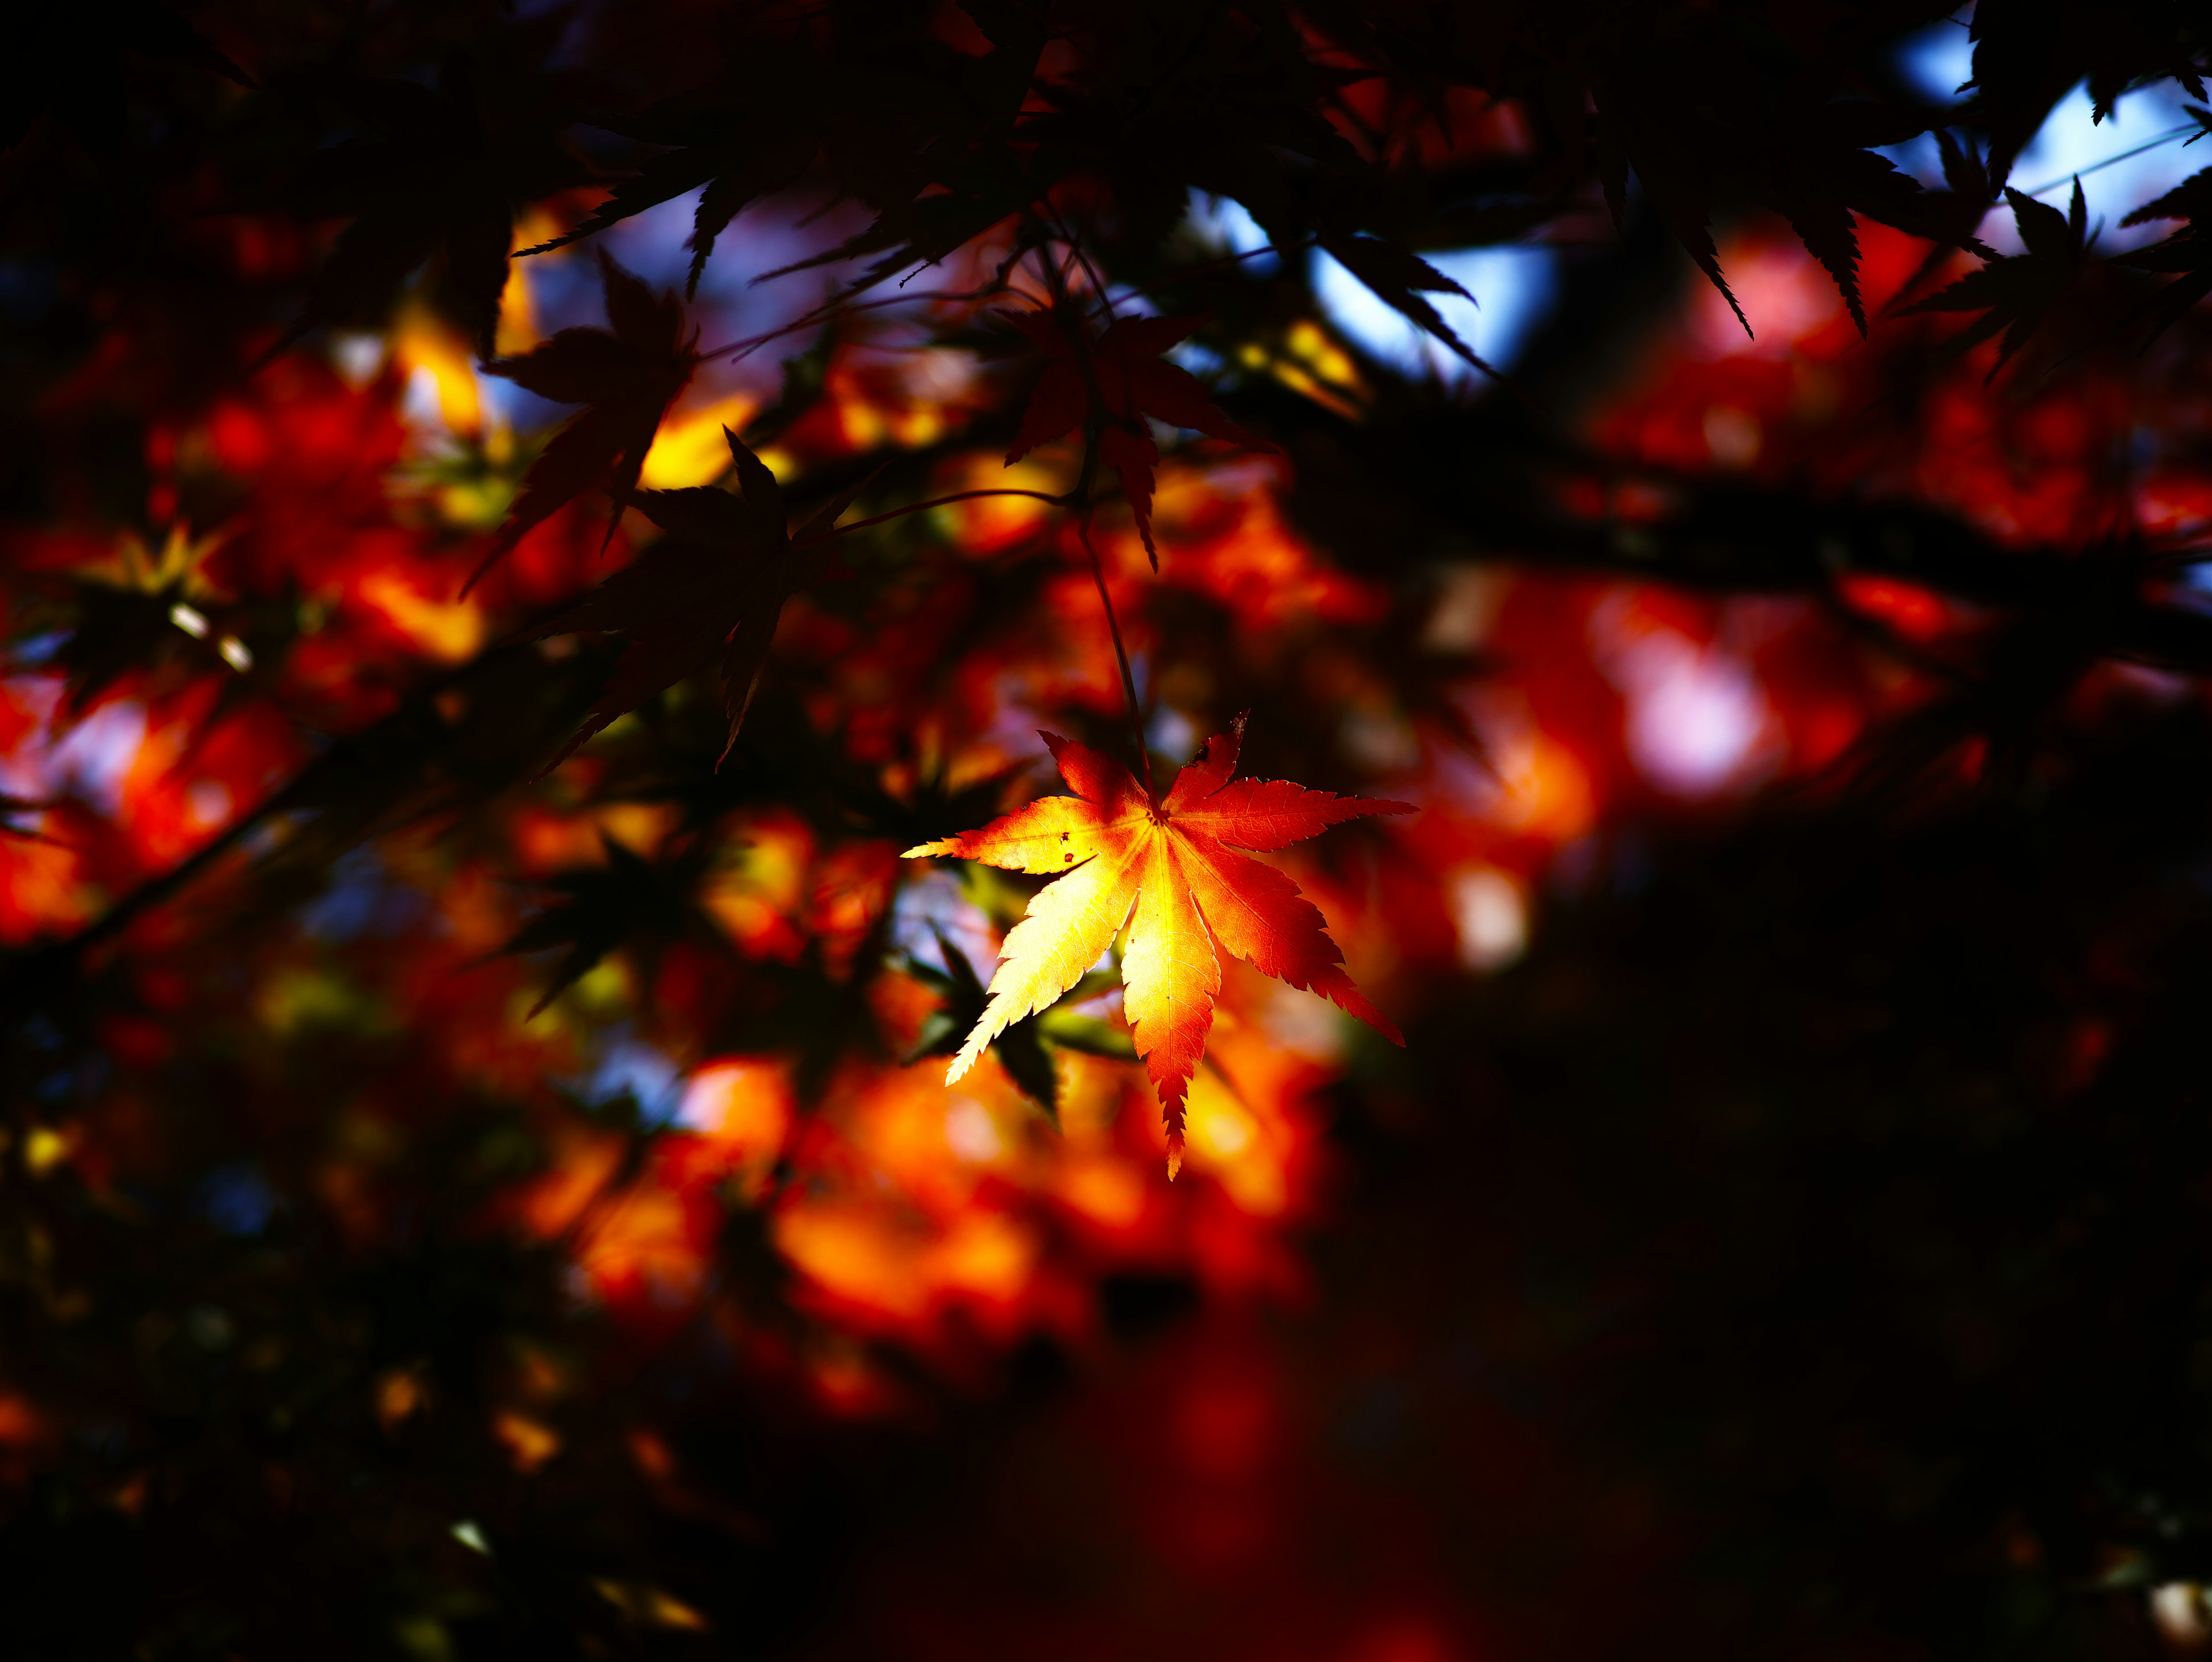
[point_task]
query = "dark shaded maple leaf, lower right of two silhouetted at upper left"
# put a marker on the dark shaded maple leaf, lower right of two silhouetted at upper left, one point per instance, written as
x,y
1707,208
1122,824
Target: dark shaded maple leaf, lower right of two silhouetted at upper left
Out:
x,y
711,592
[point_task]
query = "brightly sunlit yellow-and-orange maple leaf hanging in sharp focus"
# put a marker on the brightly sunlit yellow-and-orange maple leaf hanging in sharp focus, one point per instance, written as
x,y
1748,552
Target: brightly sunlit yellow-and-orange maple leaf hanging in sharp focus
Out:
x,y
1167,869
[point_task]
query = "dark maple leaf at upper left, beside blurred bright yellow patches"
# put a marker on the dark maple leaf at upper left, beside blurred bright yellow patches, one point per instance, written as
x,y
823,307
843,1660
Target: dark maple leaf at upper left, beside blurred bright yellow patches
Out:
x,y
629,375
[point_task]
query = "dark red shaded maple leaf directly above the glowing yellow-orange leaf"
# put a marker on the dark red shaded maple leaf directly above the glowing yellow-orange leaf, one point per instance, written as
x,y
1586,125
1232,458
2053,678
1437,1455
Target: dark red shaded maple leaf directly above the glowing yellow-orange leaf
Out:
x,y
1118,382
